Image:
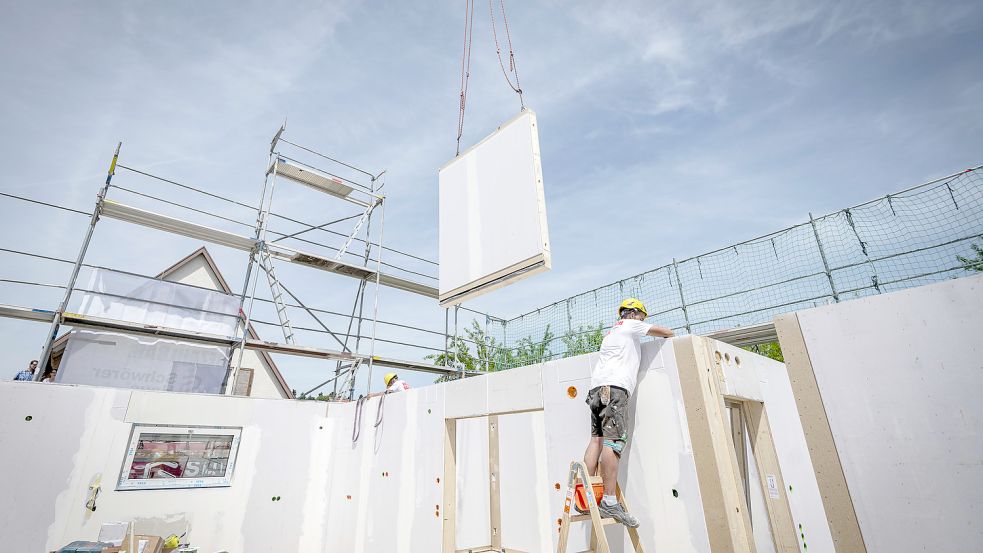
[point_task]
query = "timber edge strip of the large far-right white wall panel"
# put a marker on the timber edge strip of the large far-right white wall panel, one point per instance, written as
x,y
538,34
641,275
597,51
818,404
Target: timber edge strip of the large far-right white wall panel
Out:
x,y
837,503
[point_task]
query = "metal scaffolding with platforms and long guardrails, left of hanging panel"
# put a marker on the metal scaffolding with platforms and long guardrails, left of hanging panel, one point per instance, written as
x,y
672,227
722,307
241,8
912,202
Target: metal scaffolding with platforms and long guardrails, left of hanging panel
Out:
x,y
359,257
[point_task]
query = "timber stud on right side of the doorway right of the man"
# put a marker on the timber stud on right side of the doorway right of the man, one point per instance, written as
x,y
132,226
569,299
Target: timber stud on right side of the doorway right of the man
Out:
x,y
763,446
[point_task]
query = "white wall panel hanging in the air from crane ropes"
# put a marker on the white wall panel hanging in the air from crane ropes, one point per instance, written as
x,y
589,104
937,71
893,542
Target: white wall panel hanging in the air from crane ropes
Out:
x,y
493,213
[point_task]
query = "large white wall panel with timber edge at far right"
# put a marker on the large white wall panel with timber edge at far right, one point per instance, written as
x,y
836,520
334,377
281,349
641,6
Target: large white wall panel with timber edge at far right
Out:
x,y
899,377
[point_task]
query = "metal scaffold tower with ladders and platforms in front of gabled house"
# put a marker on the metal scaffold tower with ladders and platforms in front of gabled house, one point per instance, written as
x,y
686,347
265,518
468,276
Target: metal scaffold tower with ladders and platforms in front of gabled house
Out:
x,y
266,248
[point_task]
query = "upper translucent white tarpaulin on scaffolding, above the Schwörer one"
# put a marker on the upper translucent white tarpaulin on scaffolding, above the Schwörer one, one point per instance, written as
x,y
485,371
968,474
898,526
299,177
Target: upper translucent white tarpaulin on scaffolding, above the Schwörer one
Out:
x,y
141,300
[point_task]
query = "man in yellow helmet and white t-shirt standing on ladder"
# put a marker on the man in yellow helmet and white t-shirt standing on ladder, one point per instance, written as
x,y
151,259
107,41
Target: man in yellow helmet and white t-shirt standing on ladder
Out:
x,y
612,383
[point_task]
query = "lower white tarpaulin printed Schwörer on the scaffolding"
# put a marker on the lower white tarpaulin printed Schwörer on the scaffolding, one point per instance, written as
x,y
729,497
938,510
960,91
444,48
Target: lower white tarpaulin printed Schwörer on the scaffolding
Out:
x,y
121,360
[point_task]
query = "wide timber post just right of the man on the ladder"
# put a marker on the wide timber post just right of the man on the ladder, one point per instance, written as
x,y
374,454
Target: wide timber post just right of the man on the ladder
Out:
x,y
728,525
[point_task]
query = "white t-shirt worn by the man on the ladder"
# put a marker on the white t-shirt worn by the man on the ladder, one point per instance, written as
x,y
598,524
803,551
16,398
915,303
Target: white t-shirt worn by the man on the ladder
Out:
x,y
620,355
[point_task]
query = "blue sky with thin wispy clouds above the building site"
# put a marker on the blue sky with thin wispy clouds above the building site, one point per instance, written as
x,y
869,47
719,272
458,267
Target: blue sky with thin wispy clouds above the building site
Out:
x,y
667,128
